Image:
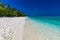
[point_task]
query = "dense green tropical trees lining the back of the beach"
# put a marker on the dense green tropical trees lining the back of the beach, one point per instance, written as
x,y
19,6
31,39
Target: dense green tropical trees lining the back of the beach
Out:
x,y
7,11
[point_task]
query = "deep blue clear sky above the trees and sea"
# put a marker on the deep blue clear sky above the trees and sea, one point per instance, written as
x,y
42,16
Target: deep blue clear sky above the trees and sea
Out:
x,y
36,7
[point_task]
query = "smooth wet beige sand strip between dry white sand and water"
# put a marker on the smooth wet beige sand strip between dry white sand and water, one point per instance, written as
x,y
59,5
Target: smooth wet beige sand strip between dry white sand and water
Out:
x,y
31,33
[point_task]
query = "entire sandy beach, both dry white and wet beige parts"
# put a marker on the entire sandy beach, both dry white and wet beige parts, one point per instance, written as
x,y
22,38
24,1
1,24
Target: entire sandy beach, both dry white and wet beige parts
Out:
x,y
21,27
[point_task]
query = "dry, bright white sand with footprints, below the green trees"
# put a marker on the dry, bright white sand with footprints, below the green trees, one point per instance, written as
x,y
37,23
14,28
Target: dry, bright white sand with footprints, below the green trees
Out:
x,y
16,26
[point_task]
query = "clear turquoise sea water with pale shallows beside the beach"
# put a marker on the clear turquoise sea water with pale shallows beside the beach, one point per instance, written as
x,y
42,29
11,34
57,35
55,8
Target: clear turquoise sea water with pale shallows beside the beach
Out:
x,y
47,26
